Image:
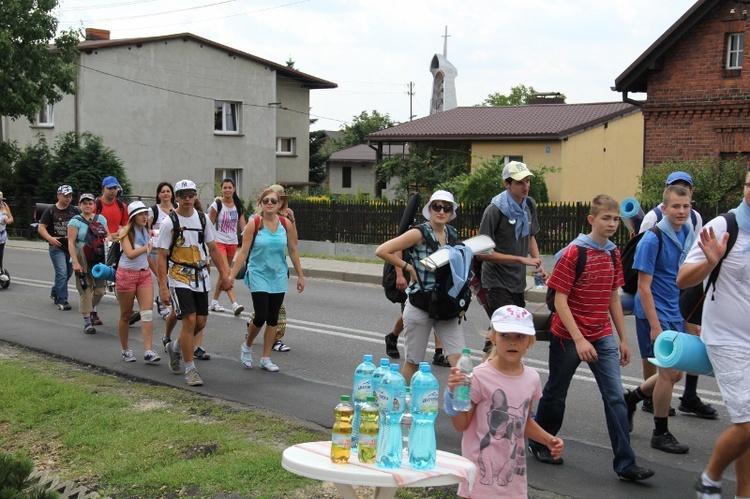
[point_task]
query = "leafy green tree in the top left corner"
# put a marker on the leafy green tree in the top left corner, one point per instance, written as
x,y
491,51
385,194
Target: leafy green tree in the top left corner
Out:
x,y
31,72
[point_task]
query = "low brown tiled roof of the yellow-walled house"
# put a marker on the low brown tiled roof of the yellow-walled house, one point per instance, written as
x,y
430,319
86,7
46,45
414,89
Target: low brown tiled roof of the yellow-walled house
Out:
x,y
532,122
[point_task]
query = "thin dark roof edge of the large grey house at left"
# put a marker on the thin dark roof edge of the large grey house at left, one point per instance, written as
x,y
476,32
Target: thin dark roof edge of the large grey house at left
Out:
x,y
307,80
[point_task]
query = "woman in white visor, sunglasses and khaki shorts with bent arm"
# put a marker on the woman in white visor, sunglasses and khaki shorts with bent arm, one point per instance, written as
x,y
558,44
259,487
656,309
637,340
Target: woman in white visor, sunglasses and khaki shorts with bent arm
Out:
x,y
439,210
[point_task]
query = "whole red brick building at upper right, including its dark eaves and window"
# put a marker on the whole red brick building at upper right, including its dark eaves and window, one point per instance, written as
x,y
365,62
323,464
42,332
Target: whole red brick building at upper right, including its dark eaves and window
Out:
x,y
697,85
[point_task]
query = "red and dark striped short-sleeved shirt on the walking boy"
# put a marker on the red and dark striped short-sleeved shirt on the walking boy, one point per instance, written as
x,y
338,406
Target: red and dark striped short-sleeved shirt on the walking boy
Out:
x,y
588,298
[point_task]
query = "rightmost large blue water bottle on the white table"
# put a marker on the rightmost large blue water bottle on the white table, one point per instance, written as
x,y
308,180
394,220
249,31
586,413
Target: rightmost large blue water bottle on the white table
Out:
x,y
424,408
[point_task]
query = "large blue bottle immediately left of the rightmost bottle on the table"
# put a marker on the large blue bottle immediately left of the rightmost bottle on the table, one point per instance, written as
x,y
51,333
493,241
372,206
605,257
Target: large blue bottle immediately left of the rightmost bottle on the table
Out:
x,y
391,404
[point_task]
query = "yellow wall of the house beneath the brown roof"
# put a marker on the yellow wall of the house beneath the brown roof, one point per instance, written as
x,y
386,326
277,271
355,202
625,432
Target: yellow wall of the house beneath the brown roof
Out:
x,y
601,160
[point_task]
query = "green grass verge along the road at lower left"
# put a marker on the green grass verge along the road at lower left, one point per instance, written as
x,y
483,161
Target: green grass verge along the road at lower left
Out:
x,y
127,439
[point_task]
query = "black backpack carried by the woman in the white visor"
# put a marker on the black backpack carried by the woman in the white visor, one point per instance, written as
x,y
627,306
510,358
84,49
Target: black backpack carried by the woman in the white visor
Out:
x,y
438,303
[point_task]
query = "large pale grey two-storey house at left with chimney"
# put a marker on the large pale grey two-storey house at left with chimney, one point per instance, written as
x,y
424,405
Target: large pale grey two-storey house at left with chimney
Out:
x,y
181,106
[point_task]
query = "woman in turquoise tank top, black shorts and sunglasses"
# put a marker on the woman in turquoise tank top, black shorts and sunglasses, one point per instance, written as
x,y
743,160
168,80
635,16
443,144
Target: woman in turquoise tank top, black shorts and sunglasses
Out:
x,y
267,274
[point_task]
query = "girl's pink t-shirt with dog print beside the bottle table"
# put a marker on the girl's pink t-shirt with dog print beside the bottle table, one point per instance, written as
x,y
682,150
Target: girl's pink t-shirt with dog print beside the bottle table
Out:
x,y
494,440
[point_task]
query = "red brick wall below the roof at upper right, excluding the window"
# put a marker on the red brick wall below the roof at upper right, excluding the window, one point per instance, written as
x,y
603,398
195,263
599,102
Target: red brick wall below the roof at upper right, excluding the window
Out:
x,y
695,108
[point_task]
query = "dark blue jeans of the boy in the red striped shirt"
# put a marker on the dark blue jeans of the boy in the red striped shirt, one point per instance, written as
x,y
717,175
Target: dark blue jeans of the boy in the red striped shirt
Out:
x,y
563,362
